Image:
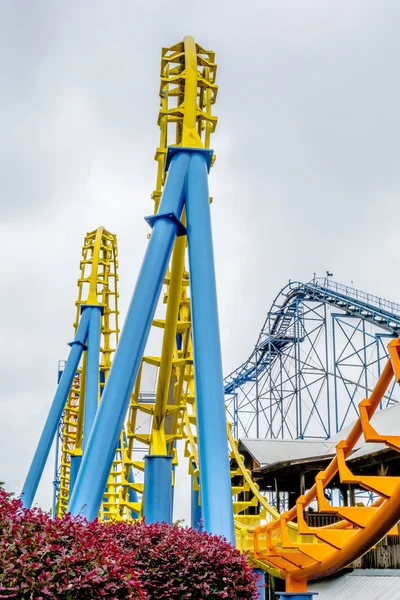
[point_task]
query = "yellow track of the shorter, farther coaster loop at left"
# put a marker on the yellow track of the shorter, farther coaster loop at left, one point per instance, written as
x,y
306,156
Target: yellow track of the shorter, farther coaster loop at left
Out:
x,y
97,286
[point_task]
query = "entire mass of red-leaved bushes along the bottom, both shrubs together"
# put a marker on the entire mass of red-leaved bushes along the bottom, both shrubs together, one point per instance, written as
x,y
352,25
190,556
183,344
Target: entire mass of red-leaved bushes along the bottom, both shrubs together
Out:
x,y
70,559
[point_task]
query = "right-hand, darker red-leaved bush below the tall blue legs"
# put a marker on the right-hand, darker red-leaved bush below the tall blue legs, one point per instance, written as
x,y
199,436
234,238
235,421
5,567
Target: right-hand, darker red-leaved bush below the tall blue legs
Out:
x,y
178,563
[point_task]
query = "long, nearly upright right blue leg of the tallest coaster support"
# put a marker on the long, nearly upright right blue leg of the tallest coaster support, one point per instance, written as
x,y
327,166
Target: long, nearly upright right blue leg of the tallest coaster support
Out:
x,y
216,495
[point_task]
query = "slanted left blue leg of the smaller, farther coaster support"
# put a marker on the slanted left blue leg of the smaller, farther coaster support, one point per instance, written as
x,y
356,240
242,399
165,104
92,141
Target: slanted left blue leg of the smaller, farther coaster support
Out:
x,y
55,413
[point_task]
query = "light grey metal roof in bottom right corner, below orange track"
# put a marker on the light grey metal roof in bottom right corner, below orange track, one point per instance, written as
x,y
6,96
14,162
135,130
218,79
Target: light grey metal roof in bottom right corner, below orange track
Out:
x,y
360,584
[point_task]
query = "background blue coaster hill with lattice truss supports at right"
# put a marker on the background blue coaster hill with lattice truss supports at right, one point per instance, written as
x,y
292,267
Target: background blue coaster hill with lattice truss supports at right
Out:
x,y
319,353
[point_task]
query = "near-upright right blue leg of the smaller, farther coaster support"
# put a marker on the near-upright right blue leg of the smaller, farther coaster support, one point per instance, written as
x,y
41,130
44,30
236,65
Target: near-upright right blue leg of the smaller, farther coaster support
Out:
x,y
92,371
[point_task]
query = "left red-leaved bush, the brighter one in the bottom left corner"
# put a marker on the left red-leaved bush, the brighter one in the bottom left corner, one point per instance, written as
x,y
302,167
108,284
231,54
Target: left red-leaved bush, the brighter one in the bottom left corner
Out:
x,y
41,558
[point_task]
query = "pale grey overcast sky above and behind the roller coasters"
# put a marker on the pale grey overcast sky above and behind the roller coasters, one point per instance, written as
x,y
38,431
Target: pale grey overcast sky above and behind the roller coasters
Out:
x,y
306,177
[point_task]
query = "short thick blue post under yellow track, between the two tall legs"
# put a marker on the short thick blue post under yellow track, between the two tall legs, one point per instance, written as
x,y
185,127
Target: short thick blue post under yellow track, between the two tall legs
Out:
x,y
157,501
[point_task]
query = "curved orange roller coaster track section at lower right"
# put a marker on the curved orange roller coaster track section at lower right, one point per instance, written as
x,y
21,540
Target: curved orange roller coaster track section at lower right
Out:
x,y
312,552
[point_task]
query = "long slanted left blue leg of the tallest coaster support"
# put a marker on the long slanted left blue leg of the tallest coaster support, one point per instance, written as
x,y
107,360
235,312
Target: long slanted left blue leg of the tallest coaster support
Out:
x,y
90,484
